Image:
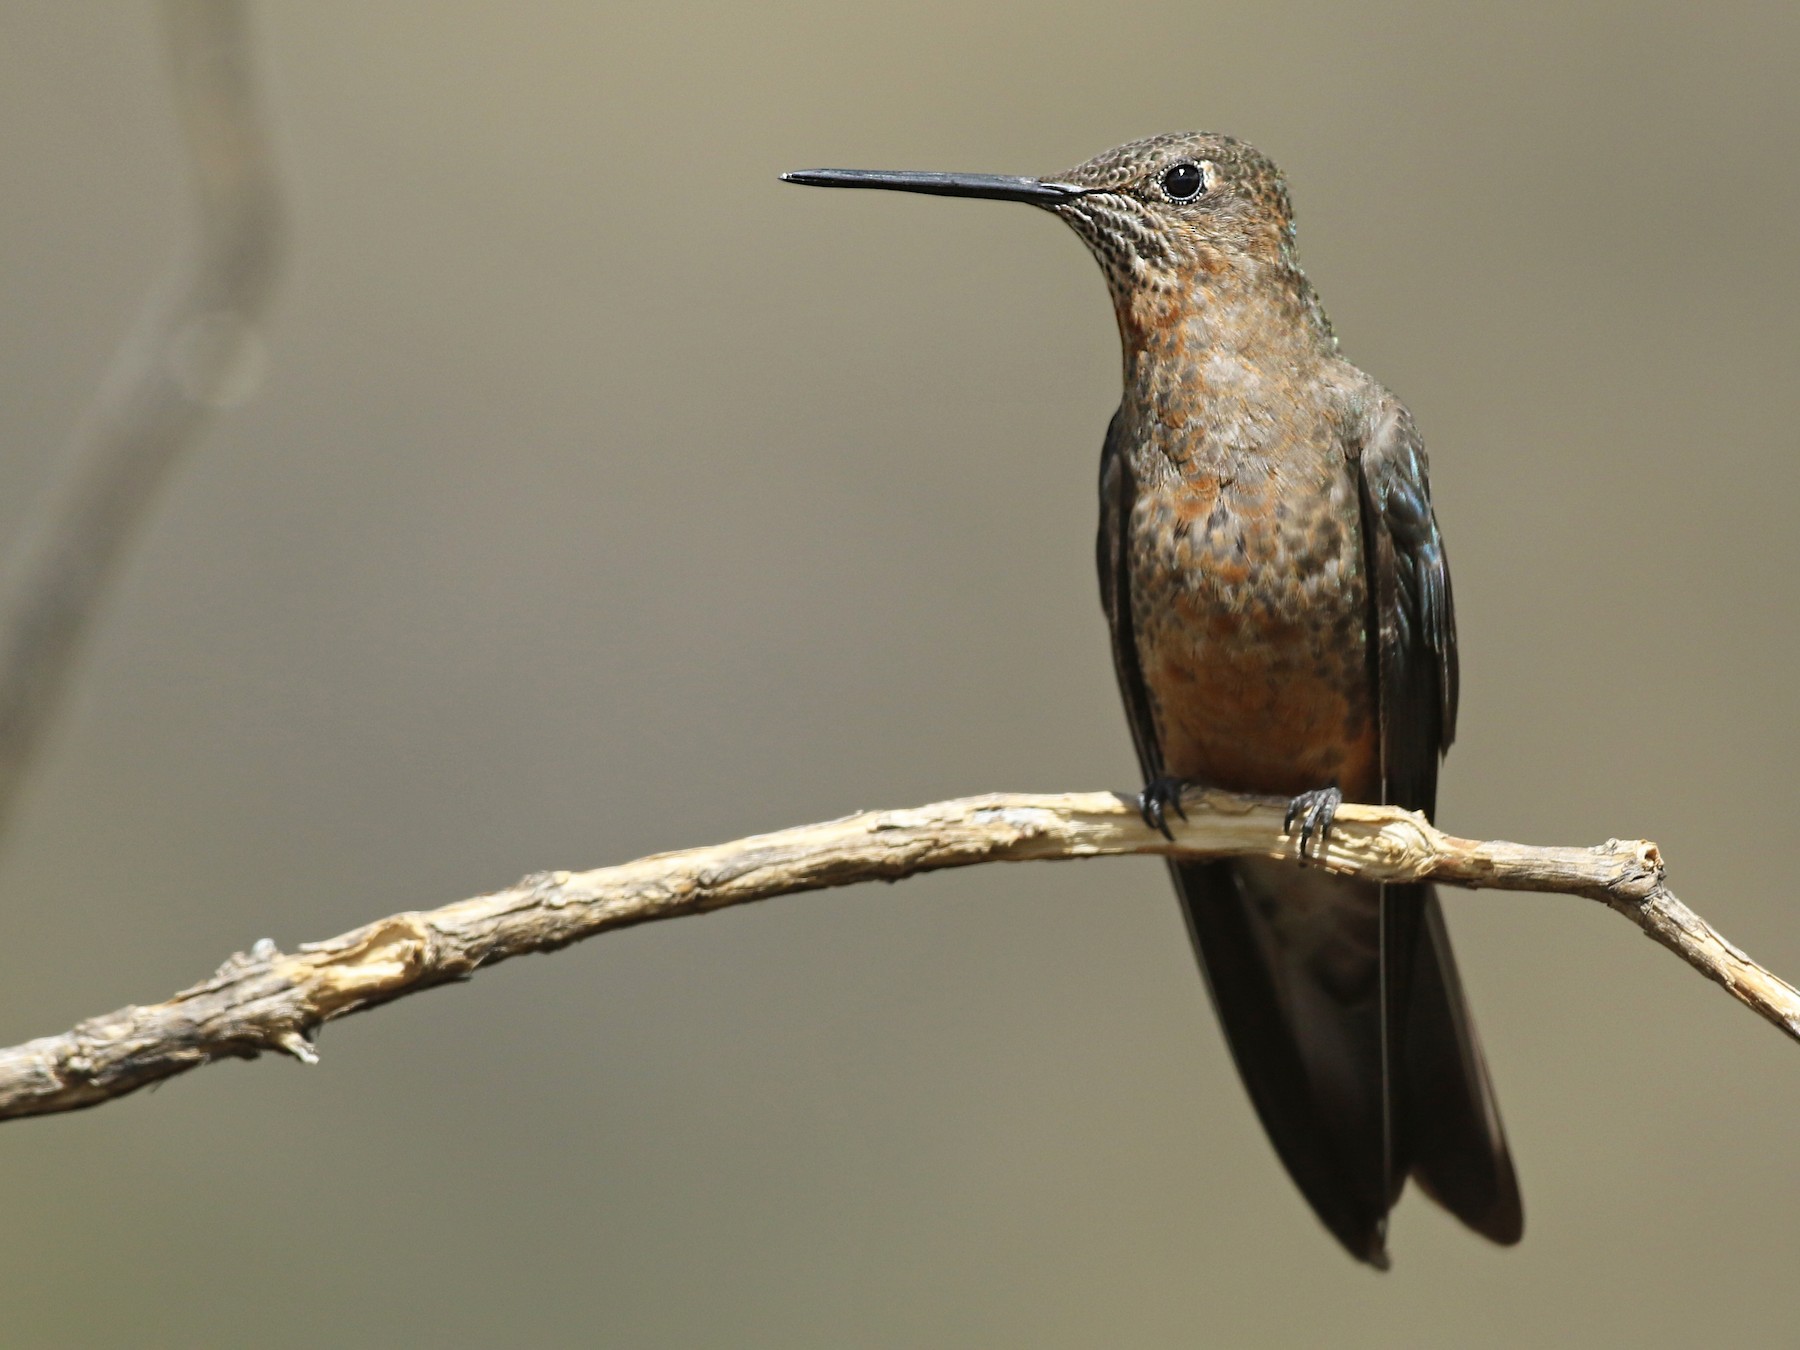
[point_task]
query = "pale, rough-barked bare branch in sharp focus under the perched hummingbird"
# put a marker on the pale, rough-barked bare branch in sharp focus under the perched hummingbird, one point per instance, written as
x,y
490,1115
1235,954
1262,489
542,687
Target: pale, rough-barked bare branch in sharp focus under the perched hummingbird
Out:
x,y
271,1000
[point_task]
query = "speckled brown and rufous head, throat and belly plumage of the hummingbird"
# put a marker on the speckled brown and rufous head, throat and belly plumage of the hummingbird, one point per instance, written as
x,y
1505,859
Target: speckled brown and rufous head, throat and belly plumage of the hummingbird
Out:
x,y
1243,543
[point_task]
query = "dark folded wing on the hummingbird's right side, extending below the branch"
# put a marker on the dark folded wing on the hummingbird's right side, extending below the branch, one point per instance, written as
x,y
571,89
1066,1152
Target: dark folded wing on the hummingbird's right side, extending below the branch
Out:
x,y
1446,1126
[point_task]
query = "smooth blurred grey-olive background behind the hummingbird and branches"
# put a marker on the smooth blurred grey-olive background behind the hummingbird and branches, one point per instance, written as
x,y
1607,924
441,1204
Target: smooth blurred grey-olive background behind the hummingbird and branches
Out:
x,y
606,496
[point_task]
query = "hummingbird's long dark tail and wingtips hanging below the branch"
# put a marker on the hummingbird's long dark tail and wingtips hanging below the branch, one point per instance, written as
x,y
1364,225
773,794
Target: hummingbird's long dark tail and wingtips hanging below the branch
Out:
x,y
1353,1102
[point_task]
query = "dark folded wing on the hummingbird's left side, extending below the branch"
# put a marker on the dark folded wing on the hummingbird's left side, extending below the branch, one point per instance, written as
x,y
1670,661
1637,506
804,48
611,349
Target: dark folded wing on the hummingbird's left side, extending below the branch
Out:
x,y
1317,1146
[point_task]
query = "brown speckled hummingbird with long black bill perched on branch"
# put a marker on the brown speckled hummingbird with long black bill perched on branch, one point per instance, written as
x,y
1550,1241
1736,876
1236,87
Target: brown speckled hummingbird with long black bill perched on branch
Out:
x,y
1281,611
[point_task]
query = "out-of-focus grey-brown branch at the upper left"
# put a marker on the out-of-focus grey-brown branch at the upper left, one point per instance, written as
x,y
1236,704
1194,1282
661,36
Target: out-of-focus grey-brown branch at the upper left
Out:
x,y
186,355
